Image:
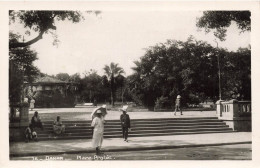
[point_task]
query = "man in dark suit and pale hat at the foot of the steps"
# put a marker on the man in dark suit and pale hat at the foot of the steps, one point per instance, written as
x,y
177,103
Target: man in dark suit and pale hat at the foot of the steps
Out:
x,y
125,123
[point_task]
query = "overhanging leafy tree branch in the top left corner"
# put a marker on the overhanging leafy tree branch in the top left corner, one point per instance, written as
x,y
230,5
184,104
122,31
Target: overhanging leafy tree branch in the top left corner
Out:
x,y
42,22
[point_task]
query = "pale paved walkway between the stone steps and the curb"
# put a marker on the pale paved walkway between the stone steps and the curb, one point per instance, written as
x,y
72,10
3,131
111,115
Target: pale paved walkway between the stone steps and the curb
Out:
x,y
135,143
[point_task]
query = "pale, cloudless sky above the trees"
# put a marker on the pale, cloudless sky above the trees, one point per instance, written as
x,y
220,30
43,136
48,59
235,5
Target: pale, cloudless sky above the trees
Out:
x,y
119,37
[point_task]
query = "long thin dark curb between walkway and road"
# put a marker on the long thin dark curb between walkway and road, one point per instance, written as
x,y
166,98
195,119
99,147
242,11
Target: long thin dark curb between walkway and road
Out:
x,y
127,149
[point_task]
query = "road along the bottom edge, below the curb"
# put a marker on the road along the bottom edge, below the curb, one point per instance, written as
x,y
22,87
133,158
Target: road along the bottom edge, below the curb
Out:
x,y
225,152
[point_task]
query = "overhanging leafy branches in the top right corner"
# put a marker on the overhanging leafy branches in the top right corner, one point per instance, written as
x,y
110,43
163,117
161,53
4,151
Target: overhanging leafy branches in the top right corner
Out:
x,y
219,21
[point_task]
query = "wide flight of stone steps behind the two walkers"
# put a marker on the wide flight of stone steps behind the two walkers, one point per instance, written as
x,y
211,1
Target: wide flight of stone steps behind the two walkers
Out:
x,y
140,128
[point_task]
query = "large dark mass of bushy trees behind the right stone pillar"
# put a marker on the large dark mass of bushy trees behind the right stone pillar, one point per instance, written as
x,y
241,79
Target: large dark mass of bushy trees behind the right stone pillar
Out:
x,y
189,69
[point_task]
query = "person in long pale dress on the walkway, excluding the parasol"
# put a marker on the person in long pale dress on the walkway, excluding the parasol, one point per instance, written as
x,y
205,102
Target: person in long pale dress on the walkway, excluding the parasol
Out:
x,y
98,131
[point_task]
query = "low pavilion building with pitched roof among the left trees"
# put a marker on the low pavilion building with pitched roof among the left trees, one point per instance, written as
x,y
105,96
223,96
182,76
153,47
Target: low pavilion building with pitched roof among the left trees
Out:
x,y
51,92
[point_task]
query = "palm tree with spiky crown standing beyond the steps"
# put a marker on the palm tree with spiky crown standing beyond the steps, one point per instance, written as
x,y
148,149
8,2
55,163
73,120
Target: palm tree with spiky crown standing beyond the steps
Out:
x,y
112,72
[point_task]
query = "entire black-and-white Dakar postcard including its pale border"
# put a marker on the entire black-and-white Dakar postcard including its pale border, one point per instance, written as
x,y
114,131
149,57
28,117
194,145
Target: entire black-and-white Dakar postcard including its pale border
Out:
x,y
129,84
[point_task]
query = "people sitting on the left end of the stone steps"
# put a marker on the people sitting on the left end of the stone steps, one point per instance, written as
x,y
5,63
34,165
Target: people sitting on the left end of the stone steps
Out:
x,y
30,131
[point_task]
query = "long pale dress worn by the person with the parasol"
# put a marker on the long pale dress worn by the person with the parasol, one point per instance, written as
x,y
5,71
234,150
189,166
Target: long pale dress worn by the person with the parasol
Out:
x,y
98,124
